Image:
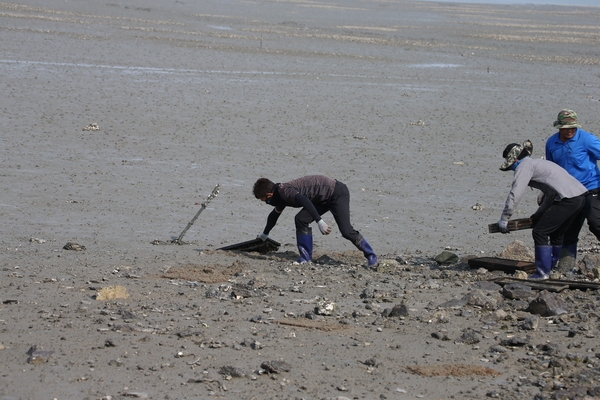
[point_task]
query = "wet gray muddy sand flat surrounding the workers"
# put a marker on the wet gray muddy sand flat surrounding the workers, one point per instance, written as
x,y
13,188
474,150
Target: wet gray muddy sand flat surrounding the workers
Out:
x,y
119,119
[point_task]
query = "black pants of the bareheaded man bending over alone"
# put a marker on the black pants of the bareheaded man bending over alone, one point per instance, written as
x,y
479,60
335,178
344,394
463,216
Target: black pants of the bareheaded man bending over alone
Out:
x,y
339,205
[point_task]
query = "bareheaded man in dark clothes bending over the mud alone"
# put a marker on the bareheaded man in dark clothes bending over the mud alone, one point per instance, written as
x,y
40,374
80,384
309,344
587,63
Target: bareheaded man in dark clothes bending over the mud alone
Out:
x,y
315,194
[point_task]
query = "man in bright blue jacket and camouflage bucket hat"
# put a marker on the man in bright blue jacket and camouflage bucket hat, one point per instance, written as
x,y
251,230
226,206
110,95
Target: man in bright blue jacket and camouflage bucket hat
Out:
x,y
578,152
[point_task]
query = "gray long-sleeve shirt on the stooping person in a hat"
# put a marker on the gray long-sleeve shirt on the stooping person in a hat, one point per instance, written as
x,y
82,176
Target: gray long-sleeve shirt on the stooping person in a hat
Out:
x,y
550,178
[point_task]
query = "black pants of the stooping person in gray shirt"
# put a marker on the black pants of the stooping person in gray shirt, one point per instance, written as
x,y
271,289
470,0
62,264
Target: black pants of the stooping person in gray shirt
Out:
x,y
556,220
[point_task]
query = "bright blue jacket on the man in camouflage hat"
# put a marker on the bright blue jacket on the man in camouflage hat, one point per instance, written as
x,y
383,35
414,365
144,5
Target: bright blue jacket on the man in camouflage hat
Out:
x,y
578,155
